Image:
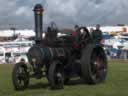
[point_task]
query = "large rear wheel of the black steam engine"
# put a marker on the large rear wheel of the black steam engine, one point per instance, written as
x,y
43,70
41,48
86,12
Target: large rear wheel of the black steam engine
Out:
x,y
93,64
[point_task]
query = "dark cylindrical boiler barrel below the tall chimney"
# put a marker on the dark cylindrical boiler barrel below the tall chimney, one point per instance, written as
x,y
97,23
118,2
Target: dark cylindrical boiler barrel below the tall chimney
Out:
x,y
43,55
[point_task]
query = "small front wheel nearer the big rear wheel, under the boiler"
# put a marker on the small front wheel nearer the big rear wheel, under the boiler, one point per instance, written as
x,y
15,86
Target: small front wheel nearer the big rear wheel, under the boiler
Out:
x,y
56,75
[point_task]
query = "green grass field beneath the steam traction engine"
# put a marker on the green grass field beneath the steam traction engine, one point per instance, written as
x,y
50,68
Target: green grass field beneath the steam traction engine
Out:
x,y
115,85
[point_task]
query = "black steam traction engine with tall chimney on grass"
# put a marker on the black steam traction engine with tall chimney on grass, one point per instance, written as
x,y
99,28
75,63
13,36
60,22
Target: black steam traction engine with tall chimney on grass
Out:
x,y
61,58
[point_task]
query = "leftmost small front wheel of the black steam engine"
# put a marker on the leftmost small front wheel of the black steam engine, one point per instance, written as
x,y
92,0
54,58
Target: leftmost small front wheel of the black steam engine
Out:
x,y
20,76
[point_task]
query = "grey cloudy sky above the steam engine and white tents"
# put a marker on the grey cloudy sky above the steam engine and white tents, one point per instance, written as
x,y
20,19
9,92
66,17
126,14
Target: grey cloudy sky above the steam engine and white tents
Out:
x,y
65,13
